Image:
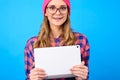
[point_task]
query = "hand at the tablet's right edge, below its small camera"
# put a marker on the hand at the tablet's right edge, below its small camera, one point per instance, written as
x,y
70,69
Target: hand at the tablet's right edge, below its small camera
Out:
x,y
81,71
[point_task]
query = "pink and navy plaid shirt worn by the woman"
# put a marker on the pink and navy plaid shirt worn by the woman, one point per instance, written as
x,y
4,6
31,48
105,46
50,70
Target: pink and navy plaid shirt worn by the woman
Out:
x,y
29,54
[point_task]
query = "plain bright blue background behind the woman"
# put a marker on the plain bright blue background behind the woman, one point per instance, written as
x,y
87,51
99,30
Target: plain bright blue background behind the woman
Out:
x,y
99,20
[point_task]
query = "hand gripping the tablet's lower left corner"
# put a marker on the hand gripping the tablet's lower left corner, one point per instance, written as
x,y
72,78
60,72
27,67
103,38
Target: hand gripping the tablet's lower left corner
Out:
x,y
37,74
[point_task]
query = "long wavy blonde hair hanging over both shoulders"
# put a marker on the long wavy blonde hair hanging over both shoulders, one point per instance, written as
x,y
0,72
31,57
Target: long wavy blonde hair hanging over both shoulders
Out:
x,y
68,37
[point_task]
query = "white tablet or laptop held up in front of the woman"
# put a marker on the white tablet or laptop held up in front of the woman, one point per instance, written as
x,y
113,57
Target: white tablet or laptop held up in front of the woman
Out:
x,y
57,61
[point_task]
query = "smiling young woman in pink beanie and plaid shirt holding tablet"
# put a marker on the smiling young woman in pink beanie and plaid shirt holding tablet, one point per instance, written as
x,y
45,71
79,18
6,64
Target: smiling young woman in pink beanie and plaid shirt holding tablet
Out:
x,y
56,31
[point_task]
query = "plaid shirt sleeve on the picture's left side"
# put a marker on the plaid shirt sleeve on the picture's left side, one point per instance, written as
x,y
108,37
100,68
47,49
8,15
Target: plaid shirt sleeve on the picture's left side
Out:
x,y
28,58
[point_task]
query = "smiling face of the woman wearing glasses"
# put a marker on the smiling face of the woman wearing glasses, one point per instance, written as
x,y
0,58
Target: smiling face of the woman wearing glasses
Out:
x,y
57,12
